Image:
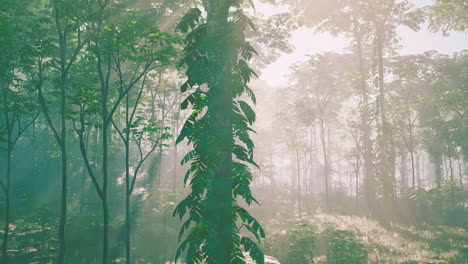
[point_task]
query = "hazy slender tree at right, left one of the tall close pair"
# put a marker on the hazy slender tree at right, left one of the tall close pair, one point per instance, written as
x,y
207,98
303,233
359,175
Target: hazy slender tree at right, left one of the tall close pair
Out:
x,y
351,19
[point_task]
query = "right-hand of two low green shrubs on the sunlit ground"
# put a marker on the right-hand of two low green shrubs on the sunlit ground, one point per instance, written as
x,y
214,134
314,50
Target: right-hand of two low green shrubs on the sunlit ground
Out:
x,y
345,248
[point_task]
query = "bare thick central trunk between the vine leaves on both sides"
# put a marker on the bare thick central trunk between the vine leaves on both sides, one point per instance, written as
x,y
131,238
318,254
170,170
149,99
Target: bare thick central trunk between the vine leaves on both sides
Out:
x,y
219,197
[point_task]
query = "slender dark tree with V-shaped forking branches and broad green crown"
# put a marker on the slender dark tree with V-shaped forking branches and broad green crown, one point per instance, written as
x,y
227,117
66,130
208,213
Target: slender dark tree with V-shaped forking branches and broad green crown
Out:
x,y
123,48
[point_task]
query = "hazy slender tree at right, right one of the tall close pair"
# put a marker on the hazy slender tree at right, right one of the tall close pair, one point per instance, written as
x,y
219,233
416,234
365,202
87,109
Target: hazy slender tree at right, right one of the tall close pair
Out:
x,y
385,16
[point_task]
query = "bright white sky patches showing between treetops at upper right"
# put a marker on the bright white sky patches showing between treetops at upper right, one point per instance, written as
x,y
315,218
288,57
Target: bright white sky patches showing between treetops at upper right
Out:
x,y
306,42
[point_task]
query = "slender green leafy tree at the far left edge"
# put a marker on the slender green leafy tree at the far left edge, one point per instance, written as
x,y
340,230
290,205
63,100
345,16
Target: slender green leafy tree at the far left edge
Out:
x,y
17,105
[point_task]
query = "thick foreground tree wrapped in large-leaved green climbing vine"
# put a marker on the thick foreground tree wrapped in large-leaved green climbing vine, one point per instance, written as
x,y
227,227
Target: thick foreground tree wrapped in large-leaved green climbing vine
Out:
x,y
216,60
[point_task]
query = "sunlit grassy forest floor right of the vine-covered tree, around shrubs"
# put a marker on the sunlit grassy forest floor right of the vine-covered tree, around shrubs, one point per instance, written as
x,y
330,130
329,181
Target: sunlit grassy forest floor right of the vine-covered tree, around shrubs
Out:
x,y
385,243
